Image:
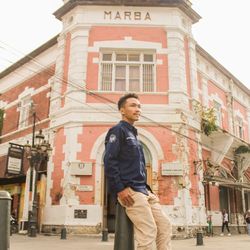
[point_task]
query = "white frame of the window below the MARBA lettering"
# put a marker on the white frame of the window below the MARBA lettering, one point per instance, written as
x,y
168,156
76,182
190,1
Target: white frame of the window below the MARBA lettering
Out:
x,y
128,63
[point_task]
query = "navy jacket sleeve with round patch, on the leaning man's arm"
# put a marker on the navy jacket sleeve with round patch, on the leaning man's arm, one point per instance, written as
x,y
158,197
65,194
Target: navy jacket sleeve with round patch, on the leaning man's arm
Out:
x,y
111,159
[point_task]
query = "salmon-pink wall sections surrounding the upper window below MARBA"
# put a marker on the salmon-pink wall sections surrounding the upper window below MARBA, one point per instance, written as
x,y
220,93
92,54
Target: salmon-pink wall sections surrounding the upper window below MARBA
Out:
x,y
140,34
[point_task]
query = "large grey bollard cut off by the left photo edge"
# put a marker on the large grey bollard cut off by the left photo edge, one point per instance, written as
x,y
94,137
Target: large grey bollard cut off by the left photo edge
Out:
x,y
5,201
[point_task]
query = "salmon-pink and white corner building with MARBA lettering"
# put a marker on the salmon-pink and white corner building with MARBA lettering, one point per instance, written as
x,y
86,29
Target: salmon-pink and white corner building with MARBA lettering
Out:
x,y
106,49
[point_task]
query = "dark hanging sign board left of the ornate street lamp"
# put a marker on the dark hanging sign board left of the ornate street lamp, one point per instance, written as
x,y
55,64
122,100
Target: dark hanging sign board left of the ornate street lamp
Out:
x,y
15,159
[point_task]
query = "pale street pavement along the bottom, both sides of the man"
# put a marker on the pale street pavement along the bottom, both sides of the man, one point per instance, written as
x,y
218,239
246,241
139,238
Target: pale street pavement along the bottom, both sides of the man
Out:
x,y
41,242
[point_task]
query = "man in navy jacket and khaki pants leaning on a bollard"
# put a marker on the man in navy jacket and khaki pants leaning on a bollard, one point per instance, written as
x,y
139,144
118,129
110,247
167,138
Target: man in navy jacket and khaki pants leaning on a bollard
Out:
x,y
125,168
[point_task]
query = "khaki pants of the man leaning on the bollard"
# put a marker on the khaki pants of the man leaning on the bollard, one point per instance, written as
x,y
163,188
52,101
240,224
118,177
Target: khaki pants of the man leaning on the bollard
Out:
x,y
150,223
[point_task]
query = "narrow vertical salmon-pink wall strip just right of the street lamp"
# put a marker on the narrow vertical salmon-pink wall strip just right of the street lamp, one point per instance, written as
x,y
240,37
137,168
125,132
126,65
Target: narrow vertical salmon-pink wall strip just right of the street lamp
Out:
x,y
58,173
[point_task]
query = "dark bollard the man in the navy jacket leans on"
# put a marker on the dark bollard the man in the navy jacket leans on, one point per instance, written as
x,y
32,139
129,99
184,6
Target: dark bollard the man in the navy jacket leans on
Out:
x,y
124,230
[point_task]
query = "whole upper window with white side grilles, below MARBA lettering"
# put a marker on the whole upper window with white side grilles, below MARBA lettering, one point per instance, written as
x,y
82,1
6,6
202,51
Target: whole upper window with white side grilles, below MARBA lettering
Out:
x,y
127,72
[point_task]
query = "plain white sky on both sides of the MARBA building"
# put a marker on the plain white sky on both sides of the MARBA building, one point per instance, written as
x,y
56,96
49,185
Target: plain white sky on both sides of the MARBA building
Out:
x,y
223,31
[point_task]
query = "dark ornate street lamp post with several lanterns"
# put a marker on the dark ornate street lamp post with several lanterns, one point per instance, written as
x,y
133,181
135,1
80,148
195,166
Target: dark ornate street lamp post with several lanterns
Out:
x,y
37,153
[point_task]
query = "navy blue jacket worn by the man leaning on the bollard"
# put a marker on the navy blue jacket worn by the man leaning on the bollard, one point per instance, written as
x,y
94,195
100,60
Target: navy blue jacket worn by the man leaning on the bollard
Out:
x,y
124,161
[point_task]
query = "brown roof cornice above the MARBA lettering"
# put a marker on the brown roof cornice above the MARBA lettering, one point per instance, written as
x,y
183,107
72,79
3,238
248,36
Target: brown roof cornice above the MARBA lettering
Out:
x,y
184,5
